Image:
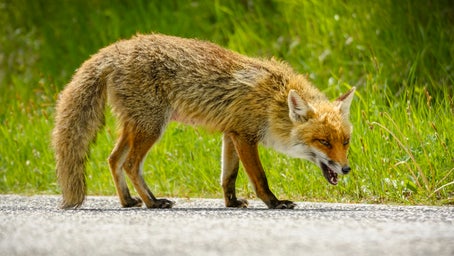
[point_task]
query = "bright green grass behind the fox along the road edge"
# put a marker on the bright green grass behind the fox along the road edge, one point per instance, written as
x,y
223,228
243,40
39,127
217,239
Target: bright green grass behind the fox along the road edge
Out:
x,y
398,53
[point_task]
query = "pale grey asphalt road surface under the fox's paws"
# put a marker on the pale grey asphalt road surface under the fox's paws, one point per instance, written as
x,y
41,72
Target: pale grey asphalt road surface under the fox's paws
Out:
x,y
34,226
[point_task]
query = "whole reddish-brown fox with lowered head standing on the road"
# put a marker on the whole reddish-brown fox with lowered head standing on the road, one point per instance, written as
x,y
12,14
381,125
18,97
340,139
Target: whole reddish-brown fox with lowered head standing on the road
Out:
x,y
150,80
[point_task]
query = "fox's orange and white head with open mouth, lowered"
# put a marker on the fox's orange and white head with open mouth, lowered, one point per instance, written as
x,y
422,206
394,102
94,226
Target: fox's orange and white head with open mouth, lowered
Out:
x,y
321,133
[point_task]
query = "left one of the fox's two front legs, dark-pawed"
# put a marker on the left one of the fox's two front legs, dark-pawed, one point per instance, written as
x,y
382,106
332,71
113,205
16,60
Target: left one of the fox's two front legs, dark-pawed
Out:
x,y
230,165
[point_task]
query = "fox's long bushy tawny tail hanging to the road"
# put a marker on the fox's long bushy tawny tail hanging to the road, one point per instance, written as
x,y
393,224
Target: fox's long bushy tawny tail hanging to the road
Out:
x,y
79,116
